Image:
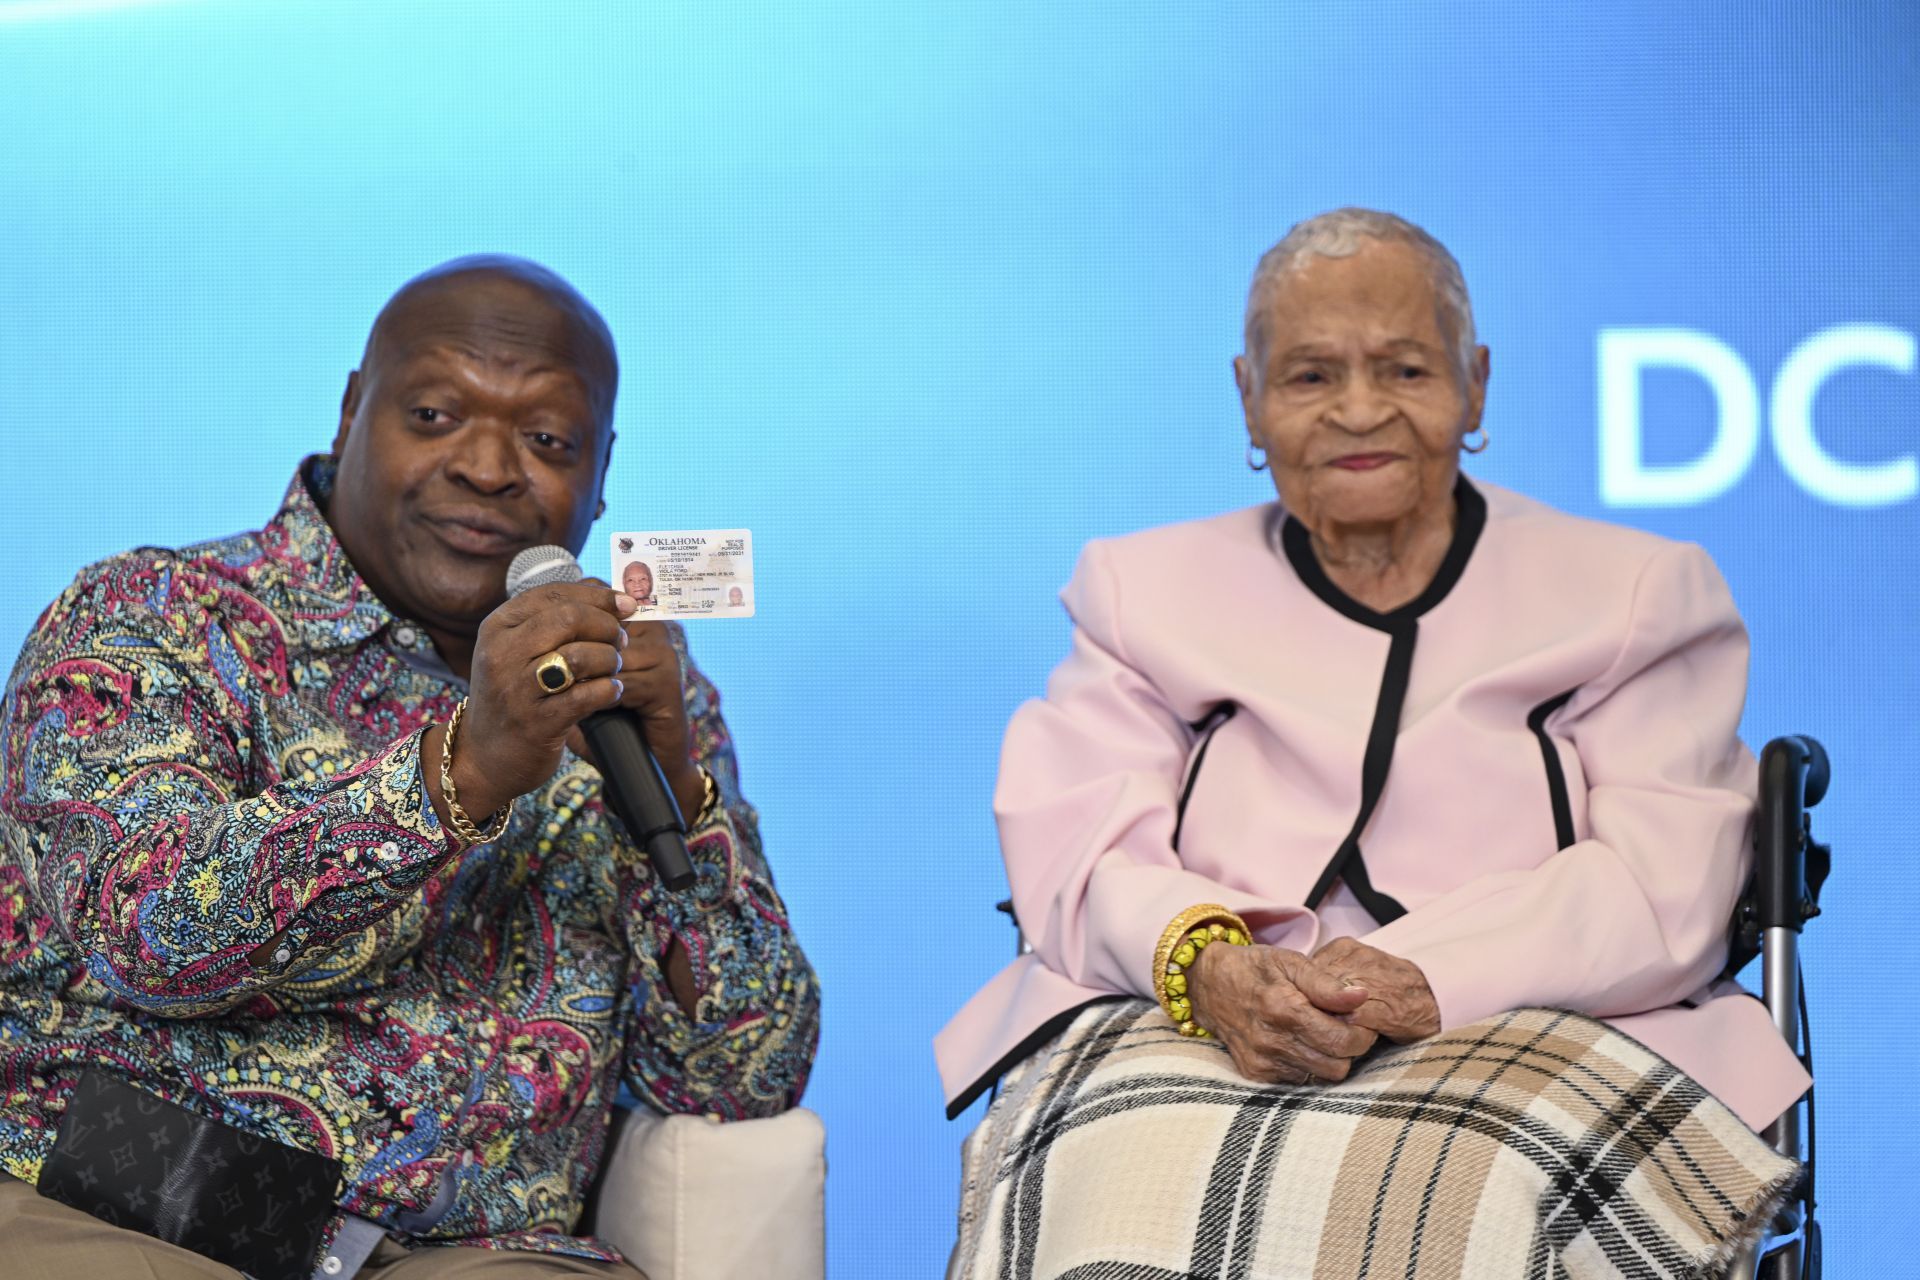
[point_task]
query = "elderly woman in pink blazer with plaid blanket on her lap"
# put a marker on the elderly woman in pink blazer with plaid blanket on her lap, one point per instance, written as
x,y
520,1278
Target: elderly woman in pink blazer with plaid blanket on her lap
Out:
x,y
1401,761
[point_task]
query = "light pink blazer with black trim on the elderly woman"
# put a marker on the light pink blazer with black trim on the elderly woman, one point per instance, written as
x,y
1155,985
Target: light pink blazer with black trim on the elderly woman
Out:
x,y
1533,774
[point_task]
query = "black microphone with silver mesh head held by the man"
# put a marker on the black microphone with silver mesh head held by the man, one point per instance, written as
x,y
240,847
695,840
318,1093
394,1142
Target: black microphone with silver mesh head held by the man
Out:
x,y
633,782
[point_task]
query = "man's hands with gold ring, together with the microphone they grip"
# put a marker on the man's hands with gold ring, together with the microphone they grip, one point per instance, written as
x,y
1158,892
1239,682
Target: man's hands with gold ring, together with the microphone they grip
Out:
x,y
556,667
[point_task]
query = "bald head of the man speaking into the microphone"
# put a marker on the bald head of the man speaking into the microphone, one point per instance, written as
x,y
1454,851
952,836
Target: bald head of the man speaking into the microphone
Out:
x,y
479,425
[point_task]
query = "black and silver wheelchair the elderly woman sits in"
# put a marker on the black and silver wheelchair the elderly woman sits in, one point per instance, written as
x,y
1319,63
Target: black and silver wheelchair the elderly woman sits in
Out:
x,y
1781,897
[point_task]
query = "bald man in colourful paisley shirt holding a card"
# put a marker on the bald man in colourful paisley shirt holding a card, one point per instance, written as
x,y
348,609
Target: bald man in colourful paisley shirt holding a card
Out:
x,y
231,872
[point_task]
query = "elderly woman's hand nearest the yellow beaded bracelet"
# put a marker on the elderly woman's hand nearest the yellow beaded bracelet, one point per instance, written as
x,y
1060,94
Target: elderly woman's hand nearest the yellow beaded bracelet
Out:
x,y
1278,1012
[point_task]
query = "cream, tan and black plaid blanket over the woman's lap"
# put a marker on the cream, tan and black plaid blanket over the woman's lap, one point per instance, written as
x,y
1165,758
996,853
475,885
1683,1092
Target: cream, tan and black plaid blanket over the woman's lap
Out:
x,y
1531,1145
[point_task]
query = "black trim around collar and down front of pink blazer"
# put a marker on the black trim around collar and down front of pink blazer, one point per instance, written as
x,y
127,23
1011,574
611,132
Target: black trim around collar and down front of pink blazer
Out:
x,y
1403,625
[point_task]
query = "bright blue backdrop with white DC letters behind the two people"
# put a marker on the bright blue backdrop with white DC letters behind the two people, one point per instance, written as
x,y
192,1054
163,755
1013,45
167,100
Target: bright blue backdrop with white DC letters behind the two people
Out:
x,y
928,296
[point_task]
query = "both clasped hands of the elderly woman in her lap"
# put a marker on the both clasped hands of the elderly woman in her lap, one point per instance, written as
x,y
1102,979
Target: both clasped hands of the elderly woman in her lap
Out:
x,y
1289,1018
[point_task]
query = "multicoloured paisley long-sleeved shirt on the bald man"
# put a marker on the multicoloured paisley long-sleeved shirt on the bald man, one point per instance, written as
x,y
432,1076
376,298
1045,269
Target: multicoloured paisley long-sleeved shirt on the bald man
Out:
x,y
206,749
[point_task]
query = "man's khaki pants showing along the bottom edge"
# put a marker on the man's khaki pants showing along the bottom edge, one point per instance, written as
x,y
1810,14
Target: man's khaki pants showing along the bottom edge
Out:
x,y
47,1241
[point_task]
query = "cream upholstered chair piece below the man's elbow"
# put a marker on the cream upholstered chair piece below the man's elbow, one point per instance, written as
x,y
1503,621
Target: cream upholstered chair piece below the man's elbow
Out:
x,y
688,1198
